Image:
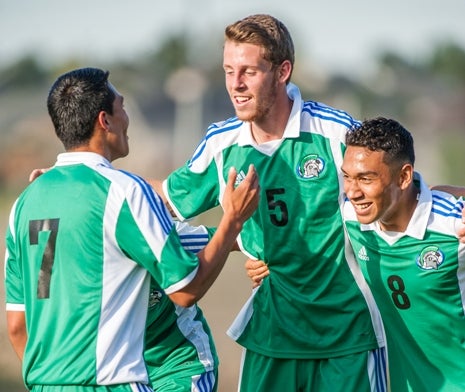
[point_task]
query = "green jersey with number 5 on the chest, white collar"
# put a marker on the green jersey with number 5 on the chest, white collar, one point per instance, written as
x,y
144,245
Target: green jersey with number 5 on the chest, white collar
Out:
x,y
311,305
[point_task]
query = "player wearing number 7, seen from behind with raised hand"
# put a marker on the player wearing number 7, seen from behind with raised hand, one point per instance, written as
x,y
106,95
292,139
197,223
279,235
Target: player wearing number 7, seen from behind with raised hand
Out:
x,y
83,242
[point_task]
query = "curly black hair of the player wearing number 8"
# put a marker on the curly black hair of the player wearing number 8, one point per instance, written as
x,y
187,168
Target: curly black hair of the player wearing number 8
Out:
x,y
383,134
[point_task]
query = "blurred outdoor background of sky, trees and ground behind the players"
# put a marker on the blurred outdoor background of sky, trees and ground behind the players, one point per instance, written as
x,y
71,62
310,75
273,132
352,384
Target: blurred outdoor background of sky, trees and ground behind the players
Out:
x,y
399,59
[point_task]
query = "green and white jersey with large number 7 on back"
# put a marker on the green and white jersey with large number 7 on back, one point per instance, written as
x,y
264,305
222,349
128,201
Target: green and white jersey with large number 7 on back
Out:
x,y
80,242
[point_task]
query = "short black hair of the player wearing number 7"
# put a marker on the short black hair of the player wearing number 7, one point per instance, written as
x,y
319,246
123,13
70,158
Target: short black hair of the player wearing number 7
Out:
x,y
75,101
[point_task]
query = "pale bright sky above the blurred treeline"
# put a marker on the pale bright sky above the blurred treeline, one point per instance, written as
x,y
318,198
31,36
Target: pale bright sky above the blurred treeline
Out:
x,y
338,35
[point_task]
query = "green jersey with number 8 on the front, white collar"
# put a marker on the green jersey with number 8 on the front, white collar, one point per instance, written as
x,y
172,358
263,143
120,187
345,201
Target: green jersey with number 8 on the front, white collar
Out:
x,y
418,281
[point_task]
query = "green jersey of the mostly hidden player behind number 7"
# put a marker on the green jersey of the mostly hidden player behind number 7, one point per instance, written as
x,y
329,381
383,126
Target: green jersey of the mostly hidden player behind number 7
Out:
x,y
178,340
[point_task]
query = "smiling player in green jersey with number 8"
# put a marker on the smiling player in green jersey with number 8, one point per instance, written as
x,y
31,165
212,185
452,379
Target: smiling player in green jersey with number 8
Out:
x,y
405,240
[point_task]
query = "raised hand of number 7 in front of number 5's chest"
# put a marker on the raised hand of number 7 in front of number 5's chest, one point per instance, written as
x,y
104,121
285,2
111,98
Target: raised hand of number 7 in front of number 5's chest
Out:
x,y
241,202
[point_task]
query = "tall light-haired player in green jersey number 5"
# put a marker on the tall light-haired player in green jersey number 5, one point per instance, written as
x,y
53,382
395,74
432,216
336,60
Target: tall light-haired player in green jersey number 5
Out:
x,y
313,324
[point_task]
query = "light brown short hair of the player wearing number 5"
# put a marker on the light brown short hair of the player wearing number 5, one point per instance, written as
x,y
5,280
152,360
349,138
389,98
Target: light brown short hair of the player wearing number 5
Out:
x,y
266,31
